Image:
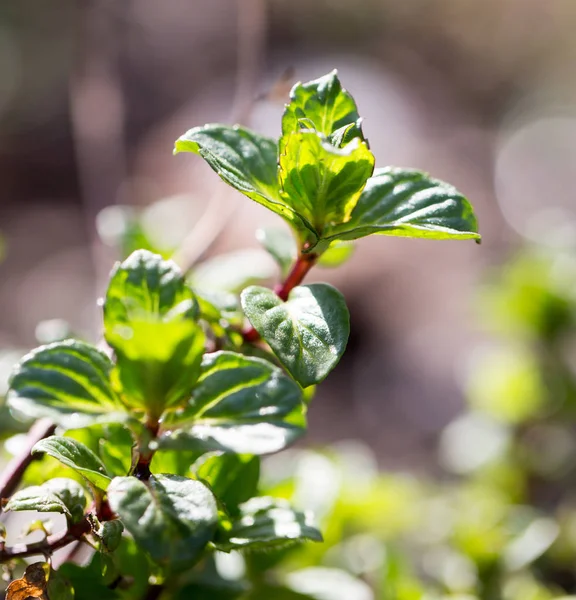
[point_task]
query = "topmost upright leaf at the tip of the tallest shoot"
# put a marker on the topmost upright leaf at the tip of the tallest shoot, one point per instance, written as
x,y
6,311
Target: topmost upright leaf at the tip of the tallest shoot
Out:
x,y
321,104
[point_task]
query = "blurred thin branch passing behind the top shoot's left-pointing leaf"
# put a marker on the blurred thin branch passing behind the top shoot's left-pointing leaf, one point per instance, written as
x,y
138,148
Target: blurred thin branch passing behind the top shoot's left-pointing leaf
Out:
x,y
252,25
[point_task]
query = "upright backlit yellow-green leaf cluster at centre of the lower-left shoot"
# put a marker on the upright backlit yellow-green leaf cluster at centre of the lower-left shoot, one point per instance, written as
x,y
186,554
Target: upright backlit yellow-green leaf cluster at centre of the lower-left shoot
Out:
x,y
149,319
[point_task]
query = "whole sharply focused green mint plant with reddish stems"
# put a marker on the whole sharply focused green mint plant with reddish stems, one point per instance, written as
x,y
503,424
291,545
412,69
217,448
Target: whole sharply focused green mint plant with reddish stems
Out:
x,y
159,429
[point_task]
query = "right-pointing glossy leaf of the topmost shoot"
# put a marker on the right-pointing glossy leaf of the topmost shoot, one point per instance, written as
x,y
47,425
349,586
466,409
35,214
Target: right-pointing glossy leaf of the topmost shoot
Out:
x,y
403,202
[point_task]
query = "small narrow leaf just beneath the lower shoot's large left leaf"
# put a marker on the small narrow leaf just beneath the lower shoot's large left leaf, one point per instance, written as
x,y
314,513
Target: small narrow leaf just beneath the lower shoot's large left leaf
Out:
x,y
77,456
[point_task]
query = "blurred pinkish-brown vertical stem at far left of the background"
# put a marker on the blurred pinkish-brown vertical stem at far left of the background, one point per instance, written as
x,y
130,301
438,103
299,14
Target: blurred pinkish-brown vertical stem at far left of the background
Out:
x,y
97,110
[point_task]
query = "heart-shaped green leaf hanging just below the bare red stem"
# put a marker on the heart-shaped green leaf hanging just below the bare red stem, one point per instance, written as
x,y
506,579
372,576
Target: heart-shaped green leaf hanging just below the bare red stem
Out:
x,y
308,333
